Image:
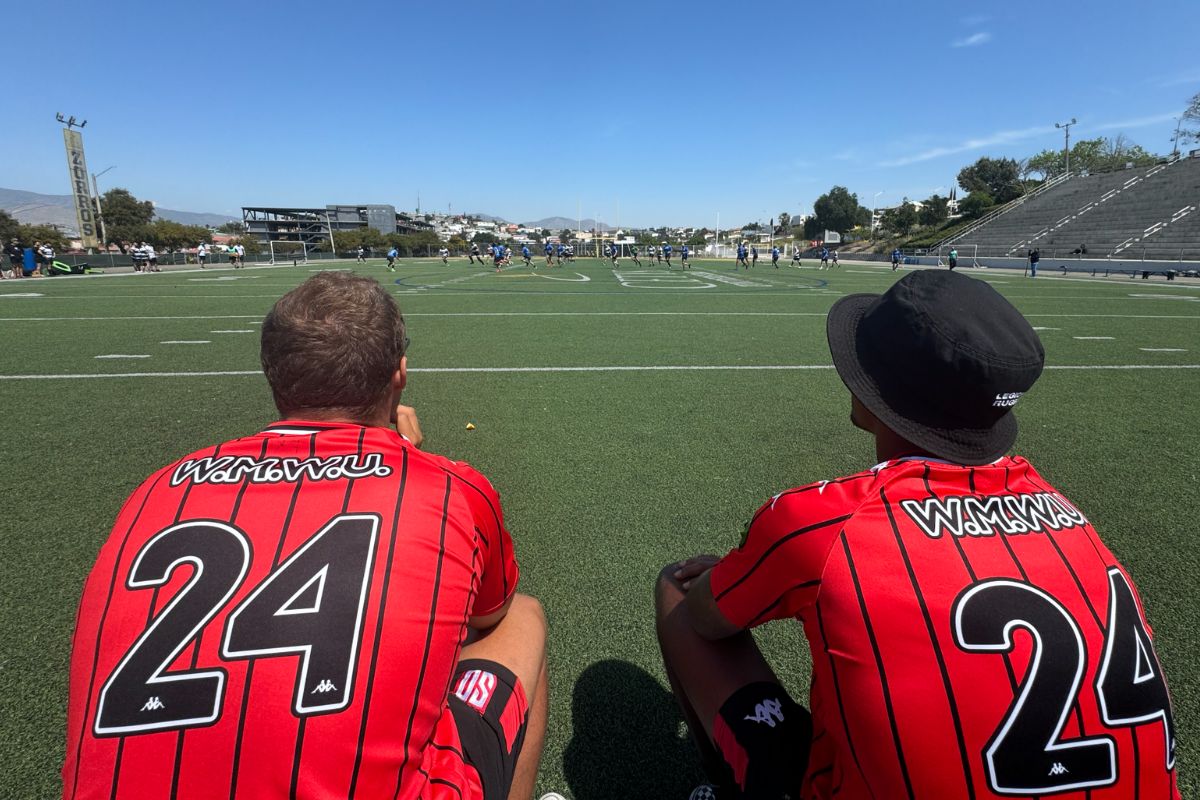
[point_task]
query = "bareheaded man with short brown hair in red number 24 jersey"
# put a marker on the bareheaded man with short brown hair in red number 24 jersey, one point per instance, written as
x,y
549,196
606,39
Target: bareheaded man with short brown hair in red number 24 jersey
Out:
x,y
320,610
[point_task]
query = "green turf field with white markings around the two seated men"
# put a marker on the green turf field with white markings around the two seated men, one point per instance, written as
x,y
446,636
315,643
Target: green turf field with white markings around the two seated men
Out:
x,y
628,419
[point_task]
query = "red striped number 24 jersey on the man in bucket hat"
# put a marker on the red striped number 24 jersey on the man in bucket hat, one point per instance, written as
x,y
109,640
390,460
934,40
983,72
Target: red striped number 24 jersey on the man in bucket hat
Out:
x,y
971,637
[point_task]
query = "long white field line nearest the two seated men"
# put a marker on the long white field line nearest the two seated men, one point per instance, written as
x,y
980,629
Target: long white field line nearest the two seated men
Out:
x,y
544,370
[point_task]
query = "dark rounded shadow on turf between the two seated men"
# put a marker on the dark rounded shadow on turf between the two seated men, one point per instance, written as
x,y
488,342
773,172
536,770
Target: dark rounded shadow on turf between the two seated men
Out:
x,y
628,738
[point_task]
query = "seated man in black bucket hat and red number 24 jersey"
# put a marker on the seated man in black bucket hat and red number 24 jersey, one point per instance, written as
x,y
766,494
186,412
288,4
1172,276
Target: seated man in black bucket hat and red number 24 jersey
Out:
x,y
970,635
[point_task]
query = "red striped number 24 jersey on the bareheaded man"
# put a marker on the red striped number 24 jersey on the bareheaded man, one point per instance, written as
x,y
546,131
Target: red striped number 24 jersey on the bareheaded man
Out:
x,y
281,616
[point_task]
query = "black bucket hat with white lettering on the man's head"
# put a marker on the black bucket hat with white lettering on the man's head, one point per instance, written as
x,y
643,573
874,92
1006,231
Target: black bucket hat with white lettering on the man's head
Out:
x,y
941,359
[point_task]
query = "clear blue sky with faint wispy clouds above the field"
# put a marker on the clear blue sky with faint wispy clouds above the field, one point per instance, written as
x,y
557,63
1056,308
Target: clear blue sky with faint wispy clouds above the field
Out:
x,y
640,113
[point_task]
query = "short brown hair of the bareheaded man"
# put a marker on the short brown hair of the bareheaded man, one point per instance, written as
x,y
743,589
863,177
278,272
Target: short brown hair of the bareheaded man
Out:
x,y
332,346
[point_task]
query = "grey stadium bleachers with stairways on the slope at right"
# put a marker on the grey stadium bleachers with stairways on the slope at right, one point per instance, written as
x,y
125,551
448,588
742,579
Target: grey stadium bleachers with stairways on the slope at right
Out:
x,y
1151,213
